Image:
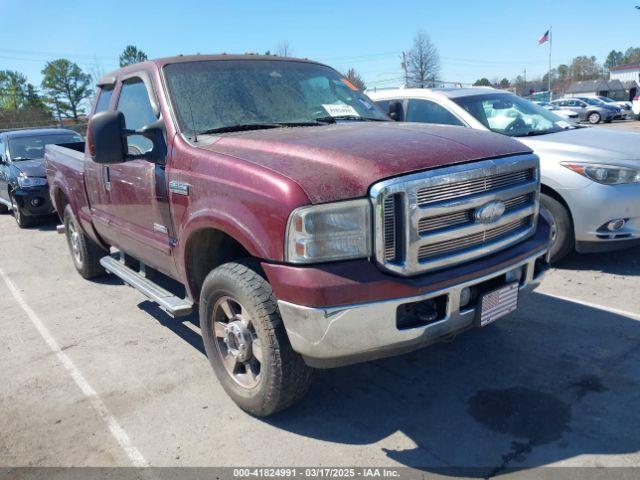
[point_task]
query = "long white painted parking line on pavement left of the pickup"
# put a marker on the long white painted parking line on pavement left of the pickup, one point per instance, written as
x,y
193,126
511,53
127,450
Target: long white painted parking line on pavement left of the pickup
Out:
x,y
136,458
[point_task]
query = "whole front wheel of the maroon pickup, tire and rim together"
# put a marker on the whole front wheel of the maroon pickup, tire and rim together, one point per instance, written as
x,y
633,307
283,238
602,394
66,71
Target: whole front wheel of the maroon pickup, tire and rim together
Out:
x,y
275,376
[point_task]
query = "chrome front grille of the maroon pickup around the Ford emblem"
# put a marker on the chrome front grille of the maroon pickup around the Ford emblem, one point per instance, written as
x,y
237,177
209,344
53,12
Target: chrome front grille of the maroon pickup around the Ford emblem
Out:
x,y
431,220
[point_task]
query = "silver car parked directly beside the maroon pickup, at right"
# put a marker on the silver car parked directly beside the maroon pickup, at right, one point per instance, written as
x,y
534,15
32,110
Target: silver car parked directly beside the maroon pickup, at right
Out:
x,y
590,176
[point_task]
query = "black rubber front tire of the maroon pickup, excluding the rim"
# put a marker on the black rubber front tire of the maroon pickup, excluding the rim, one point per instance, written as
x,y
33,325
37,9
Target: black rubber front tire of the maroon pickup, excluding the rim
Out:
x,y
284,377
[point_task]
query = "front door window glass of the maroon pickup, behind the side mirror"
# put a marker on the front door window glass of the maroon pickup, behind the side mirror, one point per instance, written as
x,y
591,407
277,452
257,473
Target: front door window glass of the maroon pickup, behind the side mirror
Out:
x,y
134,103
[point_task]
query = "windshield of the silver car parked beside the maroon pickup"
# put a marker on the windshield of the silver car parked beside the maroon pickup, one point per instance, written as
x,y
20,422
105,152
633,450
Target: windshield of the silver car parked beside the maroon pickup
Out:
x,y
511,115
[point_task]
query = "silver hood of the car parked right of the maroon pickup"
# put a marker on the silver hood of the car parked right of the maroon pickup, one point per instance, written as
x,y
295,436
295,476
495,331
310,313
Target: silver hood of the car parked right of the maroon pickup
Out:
x,y
588,144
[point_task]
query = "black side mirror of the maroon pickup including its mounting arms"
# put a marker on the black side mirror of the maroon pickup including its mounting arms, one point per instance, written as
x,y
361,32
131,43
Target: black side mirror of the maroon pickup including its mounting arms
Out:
x,y
108,139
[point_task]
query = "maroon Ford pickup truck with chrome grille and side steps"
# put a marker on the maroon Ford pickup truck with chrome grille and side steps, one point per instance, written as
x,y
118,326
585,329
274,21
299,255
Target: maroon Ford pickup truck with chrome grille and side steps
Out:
x,y
310,230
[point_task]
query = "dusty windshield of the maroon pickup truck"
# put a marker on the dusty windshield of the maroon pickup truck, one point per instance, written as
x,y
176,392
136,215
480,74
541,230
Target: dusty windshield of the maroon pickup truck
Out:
x,y
223,94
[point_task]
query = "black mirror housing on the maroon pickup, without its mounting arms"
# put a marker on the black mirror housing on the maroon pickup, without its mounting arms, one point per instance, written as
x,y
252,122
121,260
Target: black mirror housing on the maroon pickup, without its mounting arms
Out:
x,y
106,138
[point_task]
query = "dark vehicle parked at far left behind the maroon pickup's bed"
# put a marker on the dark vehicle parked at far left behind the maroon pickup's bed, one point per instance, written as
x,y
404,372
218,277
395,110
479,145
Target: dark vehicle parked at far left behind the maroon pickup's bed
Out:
x,y
23,183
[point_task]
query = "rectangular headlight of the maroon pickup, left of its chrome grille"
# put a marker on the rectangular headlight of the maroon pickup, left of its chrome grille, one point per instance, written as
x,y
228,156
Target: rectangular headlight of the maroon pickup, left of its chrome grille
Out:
x,y
330,232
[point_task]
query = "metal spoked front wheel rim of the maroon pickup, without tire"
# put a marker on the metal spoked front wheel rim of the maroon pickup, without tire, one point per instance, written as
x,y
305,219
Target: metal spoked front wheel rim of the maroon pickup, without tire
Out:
x,y
238,347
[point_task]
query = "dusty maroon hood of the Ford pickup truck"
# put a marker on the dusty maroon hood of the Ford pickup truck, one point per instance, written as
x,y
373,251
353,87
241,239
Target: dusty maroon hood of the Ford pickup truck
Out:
x,y
342,161
